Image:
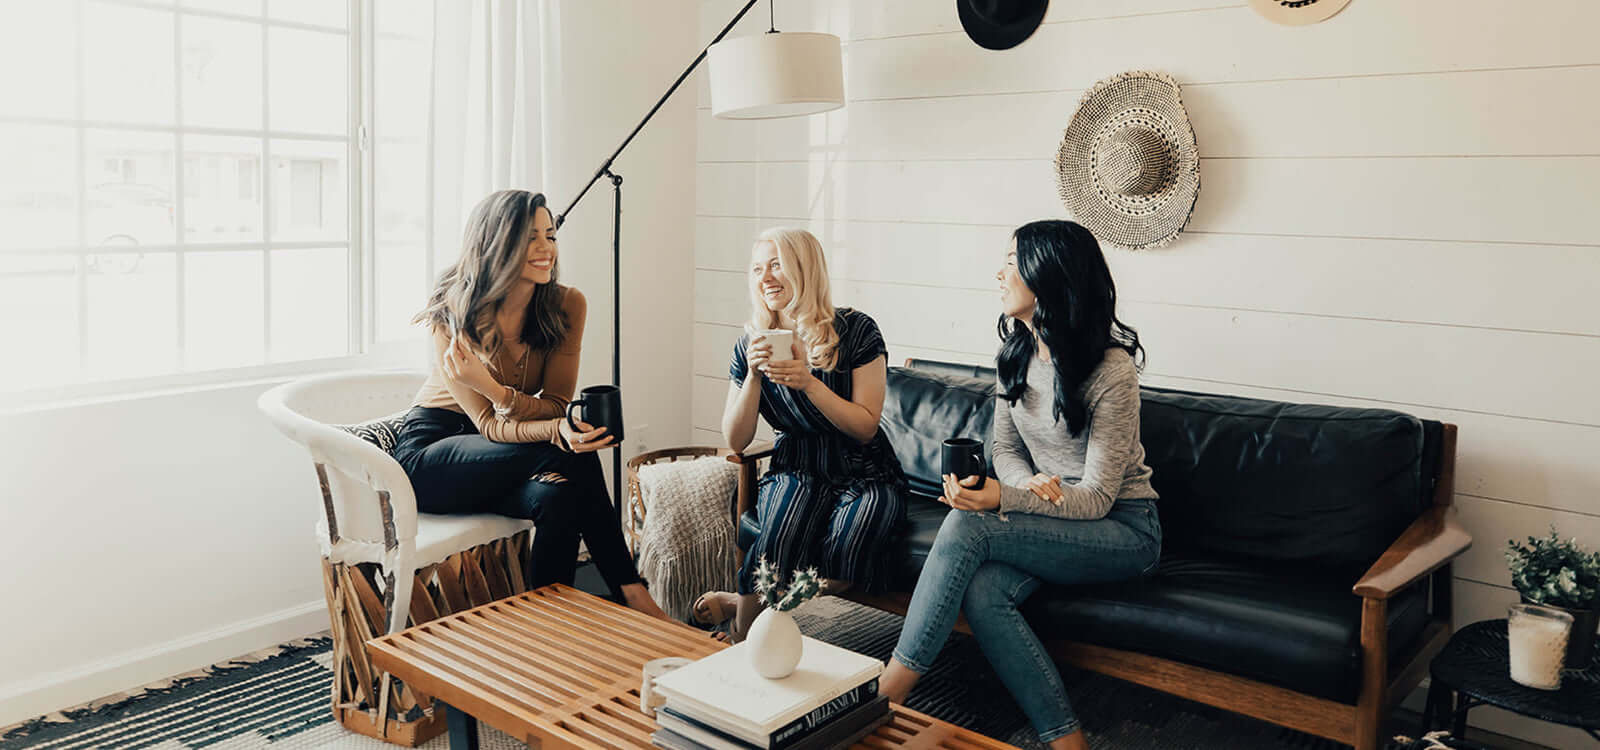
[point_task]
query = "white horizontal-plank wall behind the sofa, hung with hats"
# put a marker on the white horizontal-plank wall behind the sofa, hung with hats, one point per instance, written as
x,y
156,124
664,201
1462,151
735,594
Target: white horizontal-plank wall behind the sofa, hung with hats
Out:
x,y
1399,209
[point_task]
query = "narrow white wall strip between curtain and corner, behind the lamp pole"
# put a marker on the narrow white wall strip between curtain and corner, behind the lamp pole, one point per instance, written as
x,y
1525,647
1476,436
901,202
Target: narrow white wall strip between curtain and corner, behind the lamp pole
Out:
x,y
617,58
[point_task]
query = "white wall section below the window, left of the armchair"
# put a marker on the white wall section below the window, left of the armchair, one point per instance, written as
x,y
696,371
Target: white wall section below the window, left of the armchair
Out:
x,y
145,538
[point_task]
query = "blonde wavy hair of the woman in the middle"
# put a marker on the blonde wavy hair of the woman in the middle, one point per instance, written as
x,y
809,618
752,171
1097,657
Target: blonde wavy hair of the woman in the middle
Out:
x,y
812,306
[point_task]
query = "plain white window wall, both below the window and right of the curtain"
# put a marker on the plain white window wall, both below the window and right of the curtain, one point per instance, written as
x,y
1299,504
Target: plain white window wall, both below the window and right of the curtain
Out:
x,y
156,535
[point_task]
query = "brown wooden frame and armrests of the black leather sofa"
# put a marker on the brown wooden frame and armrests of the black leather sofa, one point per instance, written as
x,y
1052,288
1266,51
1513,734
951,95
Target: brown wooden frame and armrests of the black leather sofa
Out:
x,y
1420,557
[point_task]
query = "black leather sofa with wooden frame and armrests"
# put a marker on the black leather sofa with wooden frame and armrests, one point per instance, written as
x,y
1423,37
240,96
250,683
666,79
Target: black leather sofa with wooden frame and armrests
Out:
x,y
1306,551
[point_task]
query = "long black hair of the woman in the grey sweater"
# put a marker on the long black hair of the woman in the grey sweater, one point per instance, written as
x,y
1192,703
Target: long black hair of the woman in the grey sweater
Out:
x,y
1074,314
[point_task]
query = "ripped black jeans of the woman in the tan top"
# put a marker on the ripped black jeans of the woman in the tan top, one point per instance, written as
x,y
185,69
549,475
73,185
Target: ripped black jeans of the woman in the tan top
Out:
x,y
457,471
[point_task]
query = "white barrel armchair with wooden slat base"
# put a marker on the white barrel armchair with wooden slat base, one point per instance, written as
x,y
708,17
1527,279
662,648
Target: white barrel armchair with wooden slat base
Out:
x,y
386,565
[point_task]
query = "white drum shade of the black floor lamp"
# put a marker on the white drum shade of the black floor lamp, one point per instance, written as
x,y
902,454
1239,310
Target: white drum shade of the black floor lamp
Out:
x,y
769,76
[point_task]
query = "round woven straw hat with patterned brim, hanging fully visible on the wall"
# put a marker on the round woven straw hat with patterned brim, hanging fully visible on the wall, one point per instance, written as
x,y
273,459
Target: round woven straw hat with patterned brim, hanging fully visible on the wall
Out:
x,y
1129,167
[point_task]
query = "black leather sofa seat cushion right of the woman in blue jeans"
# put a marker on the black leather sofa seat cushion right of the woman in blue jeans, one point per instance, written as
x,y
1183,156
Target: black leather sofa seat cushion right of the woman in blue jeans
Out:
x,y
1287,628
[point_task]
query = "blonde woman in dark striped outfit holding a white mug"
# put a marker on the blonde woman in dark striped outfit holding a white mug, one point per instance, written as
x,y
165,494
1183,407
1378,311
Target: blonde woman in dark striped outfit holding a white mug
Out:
x,y
834,493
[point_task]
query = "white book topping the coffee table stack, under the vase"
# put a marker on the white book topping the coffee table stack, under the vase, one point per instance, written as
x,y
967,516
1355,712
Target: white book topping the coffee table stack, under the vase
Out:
x,y
727,692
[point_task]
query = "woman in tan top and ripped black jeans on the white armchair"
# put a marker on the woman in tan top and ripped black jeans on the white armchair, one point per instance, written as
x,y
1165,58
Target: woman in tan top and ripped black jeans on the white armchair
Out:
x,y
487,433
